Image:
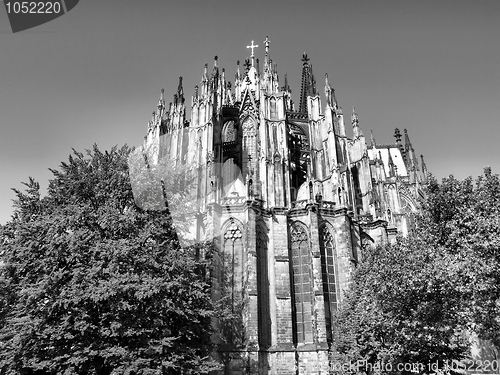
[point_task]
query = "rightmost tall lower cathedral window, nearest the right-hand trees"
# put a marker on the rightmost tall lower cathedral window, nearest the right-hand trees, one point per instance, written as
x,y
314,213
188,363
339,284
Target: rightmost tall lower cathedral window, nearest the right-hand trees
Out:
x,y
328,276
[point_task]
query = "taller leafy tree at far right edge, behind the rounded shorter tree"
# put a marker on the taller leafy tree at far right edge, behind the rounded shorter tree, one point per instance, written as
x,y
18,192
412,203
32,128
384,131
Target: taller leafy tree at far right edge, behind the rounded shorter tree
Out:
x,y
463,216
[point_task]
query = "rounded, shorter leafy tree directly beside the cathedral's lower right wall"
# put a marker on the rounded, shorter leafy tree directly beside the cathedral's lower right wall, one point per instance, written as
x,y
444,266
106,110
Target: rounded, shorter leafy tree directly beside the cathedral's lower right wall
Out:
x,y
402,308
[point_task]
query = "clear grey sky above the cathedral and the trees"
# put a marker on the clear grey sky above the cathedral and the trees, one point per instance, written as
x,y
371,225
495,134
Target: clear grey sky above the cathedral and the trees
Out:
x,y
94,75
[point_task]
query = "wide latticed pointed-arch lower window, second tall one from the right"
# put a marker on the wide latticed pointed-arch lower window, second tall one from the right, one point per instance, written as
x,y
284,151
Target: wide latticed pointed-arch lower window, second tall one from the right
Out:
x,y
302,283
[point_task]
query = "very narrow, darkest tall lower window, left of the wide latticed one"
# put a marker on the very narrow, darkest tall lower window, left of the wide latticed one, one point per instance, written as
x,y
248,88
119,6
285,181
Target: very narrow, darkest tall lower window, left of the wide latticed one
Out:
x,y
263,287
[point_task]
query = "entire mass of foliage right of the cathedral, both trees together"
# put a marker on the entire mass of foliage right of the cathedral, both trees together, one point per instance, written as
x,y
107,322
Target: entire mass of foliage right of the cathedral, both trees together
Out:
x,y
415,301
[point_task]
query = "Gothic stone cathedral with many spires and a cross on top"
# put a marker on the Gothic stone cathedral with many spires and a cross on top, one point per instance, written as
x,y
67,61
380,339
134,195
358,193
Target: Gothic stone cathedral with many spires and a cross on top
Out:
x,y
290,195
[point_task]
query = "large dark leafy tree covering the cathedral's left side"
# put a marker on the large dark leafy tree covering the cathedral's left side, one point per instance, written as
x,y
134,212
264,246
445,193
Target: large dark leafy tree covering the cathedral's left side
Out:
x,y
93,284
